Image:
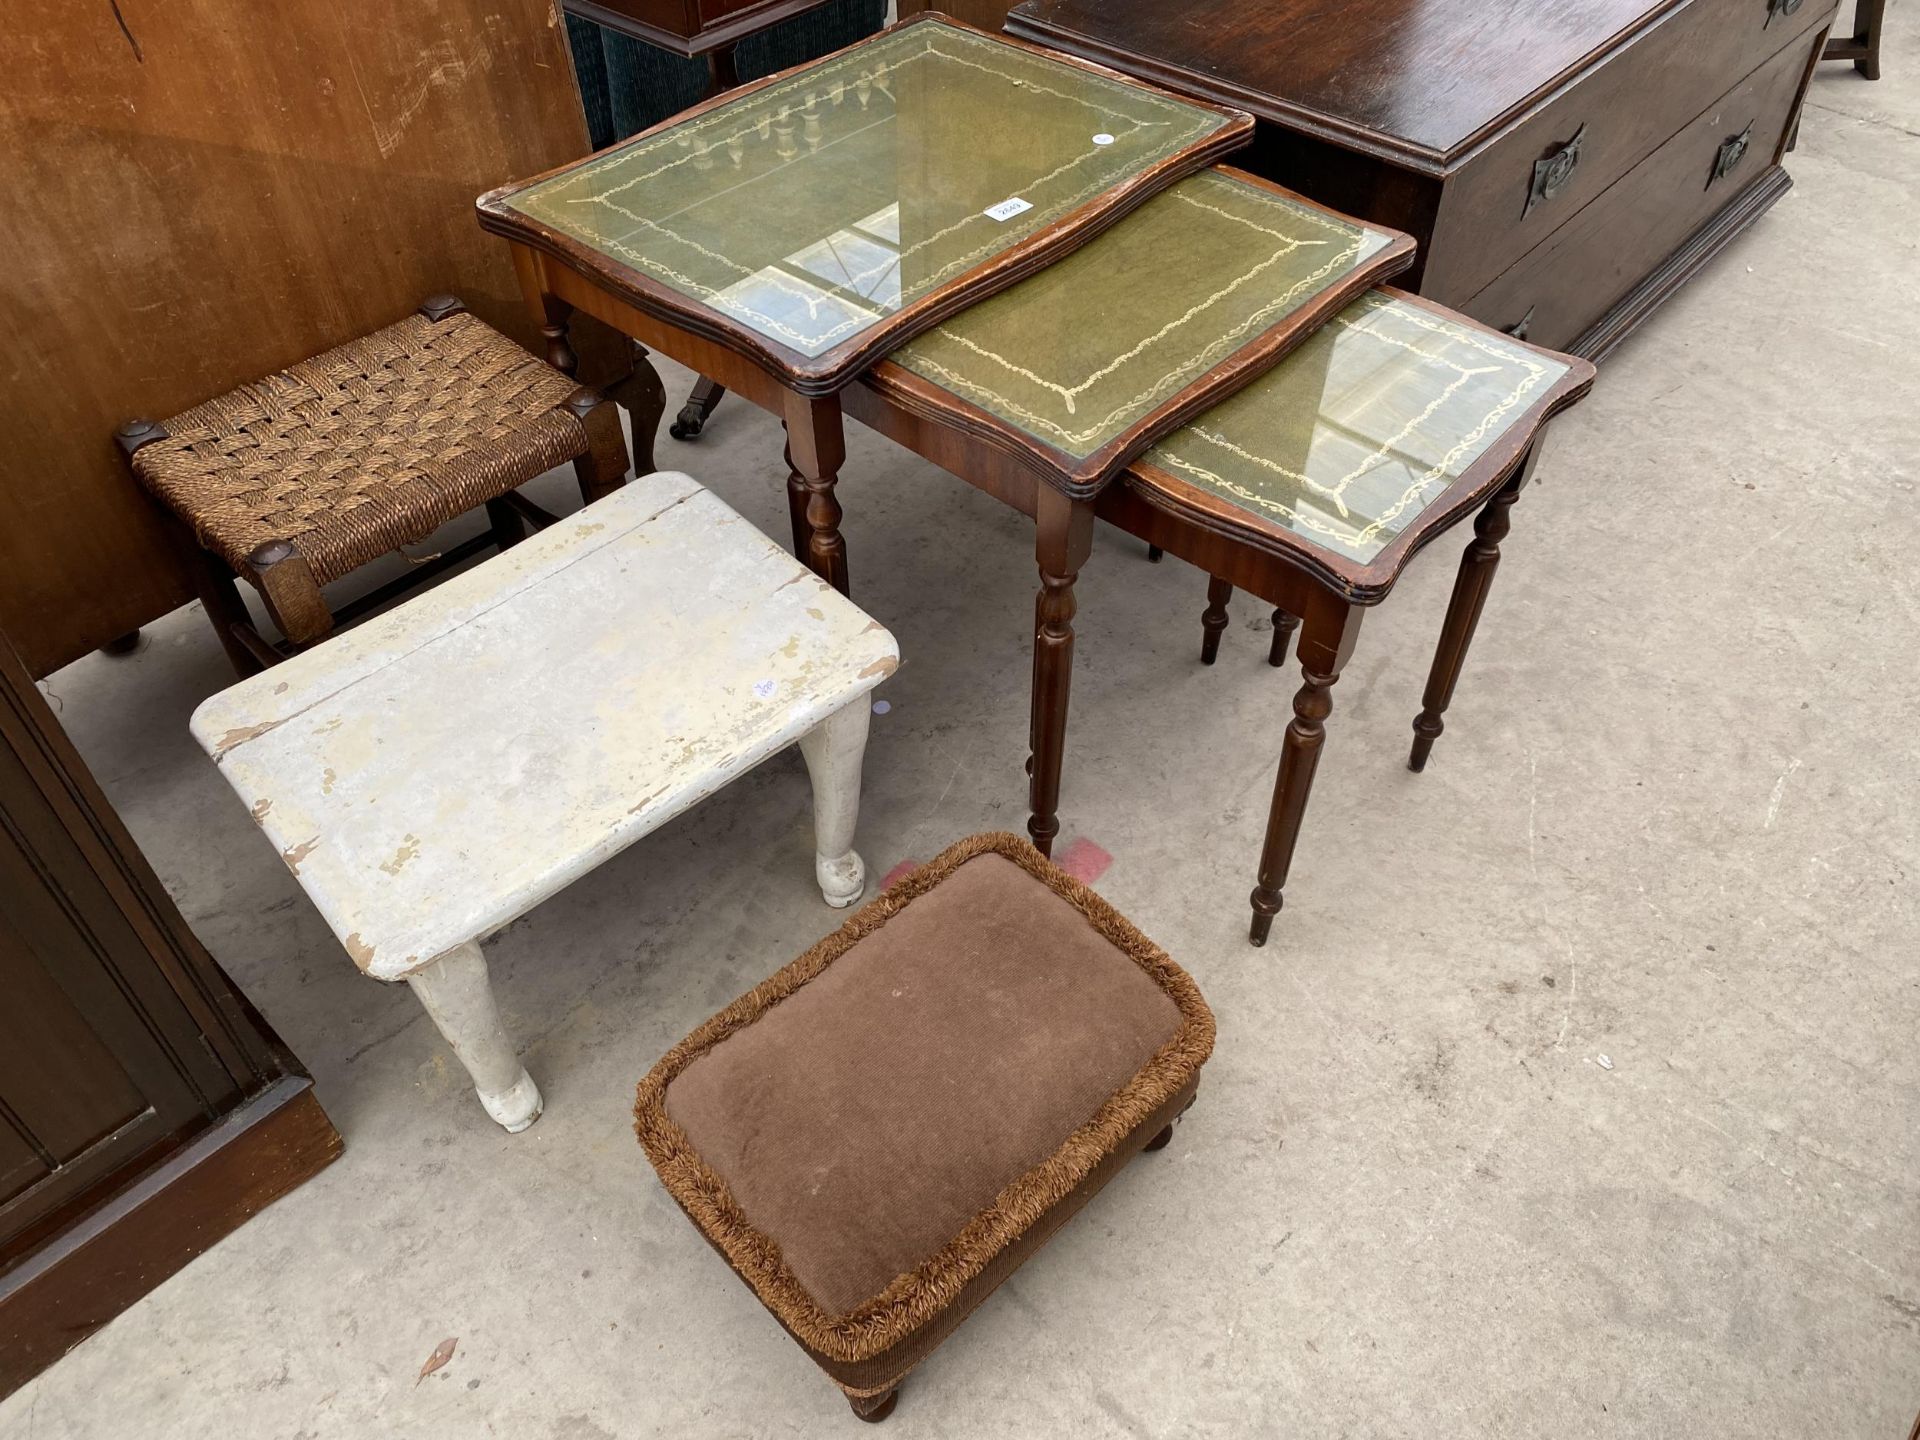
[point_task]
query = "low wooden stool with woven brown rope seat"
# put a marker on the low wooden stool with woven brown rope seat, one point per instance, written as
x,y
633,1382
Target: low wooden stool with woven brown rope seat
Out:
x,y
308,475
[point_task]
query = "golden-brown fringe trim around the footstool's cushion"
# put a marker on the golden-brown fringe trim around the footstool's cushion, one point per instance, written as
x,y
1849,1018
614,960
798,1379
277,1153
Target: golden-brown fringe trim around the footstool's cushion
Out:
x,y
915,1299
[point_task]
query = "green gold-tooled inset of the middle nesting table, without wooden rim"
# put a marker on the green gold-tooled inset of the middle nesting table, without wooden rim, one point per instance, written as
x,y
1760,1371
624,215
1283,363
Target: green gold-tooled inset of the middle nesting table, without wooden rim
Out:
x,y
1105,337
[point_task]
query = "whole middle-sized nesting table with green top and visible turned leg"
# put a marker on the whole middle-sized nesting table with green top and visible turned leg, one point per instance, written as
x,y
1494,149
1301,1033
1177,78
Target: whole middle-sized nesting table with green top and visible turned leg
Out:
x,y
1044,396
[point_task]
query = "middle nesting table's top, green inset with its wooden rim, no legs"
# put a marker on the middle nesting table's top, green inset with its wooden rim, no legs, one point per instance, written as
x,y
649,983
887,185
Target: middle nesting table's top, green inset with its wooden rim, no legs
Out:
x,y
1103,352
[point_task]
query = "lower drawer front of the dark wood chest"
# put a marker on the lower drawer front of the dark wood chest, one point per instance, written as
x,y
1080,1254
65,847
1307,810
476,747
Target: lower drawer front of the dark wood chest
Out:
x,y
1575,277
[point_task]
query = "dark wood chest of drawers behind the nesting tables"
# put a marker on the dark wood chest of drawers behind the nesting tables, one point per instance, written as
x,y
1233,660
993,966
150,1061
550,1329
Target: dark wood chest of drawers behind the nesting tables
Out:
x,y
1566,164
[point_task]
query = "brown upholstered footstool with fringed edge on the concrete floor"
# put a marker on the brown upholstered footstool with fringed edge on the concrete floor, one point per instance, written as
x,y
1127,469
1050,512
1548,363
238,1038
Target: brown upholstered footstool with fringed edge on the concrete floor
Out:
x,y
880,1136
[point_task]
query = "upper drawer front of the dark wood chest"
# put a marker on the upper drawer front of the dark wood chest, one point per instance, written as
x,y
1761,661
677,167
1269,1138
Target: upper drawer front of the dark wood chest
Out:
x,y
1531,181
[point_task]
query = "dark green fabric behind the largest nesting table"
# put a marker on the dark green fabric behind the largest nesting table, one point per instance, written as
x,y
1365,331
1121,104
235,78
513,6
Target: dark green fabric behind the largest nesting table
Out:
x,y
629,85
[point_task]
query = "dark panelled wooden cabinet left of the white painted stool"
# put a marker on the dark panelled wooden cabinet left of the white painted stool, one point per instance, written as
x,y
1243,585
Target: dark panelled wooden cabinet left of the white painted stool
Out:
x,y
122,1045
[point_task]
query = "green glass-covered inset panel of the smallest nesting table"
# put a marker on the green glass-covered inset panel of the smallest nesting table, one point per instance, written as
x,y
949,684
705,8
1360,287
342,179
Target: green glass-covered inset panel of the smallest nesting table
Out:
x,y
1364,427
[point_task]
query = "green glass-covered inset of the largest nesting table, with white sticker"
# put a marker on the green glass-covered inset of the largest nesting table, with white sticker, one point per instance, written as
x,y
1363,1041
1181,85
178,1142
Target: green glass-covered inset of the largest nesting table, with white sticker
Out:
x,y
817,206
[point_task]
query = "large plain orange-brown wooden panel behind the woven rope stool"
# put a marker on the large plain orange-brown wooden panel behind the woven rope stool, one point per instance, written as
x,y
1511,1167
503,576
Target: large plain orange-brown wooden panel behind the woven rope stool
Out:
x,y
201,193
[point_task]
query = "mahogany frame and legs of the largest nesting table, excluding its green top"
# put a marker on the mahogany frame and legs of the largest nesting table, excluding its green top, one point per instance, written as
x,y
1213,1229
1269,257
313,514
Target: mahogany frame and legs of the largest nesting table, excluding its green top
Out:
x,y
562,276
